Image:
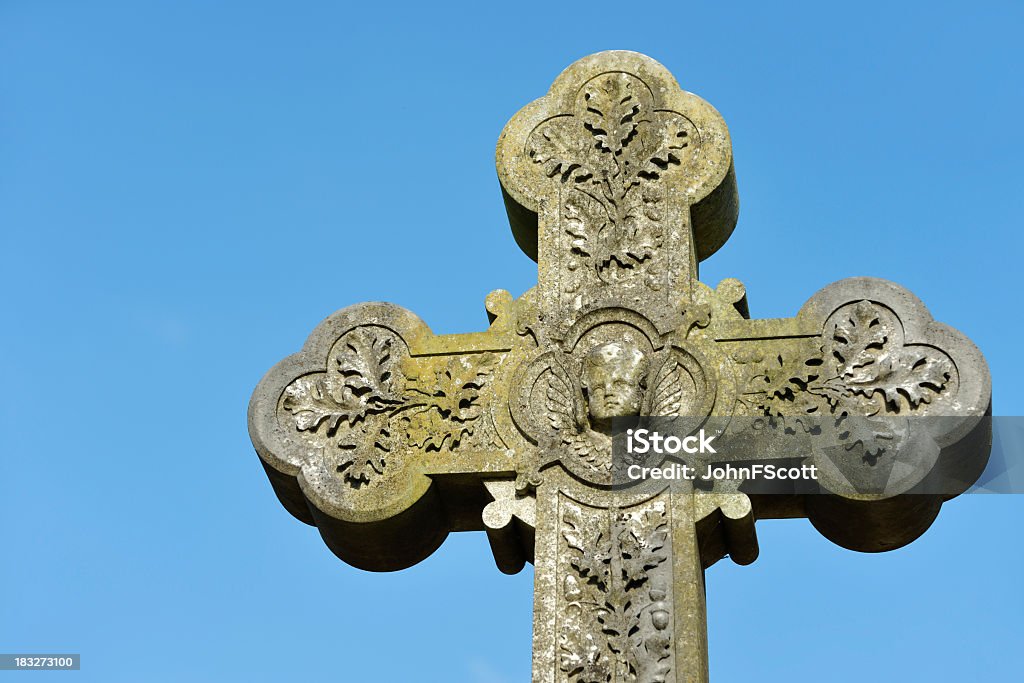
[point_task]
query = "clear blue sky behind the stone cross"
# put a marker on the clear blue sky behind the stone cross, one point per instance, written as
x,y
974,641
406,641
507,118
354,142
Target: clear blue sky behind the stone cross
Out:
x,y
188,188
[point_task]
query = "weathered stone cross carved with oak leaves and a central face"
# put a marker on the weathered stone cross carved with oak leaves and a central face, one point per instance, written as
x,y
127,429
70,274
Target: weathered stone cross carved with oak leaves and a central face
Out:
x,y
388,438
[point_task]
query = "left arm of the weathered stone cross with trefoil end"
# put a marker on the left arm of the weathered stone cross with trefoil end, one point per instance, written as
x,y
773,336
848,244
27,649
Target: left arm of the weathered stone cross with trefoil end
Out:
x,y
381,434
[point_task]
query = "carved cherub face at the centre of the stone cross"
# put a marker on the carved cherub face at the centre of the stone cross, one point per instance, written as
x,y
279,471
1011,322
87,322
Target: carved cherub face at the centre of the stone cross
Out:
x,y
615,376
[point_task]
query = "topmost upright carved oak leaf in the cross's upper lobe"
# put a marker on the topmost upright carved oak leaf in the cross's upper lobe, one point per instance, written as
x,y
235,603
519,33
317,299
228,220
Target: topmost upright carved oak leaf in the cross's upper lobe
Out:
x,y
613,112
